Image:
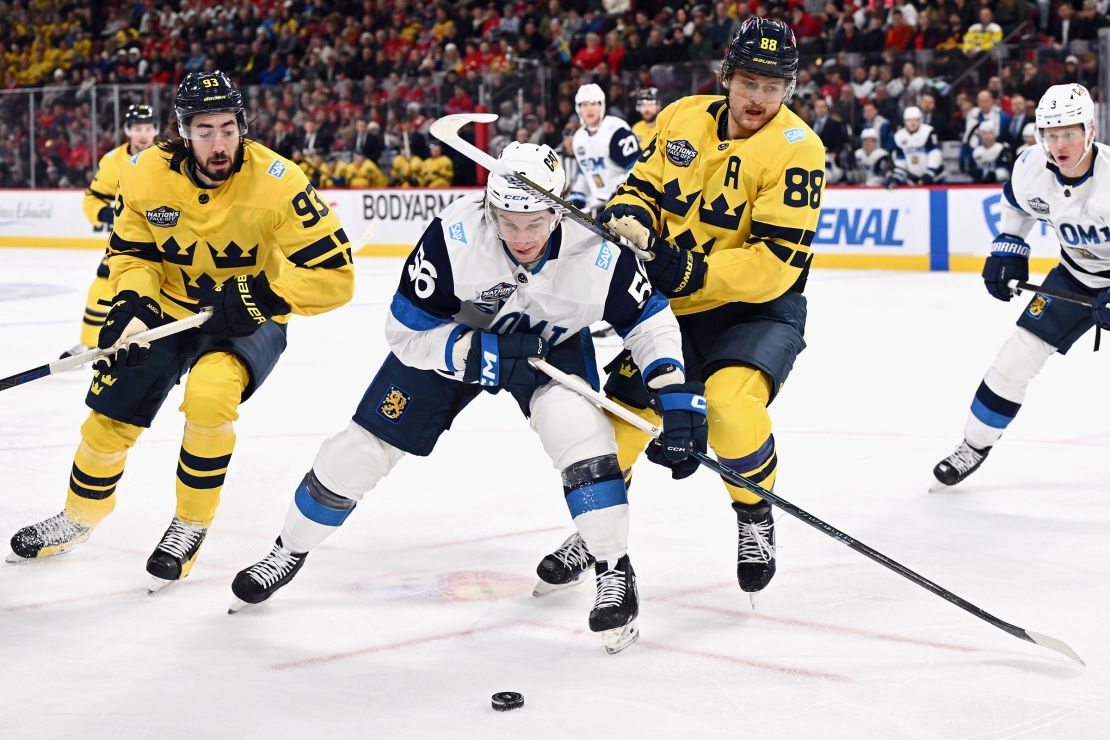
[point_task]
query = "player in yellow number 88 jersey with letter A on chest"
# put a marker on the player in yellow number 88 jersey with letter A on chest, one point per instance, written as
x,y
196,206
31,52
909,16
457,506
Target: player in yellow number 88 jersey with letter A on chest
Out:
x,y
726,197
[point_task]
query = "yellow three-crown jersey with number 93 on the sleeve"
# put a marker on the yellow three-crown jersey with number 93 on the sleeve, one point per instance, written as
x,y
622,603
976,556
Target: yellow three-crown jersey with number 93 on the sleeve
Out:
x,y
175,240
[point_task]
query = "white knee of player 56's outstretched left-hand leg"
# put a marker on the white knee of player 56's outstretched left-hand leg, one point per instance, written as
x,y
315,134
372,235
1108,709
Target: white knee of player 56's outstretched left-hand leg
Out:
x,y
352,462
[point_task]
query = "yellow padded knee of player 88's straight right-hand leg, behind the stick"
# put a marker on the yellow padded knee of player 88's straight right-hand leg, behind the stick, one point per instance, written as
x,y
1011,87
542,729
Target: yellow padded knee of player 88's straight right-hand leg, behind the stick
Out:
x,y
740,428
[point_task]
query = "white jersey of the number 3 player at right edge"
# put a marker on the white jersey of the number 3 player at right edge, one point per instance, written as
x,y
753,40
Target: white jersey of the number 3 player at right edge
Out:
x,y
1078,209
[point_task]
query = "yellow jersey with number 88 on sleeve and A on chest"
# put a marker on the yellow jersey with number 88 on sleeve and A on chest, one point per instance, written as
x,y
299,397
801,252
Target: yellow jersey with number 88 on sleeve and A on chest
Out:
x,y
750,205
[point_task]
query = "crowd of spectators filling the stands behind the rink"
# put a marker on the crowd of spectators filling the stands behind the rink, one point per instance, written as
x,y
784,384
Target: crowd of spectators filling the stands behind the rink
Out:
x,y
348,89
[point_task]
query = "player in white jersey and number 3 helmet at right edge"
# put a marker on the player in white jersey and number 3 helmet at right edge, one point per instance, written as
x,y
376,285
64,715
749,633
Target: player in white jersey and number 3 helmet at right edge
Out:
x,y
1064,183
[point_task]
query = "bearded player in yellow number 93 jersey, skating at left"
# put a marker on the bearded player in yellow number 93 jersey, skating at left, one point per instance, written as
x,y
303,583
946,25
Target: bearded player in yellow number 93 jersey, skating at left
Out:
x,y
209,219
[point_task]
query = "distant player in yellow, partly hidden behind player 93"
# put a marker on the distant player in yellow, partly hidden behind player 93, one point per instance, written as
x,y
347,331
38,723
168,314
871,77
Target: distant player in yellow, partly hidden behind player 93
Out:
x,y
99,199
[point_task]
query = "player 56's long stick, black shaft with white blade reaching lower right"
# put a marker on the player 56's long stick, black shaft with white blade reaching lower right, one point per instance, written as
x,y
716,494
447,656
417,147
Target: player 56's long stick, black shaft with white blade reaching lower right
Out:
x,y
580,387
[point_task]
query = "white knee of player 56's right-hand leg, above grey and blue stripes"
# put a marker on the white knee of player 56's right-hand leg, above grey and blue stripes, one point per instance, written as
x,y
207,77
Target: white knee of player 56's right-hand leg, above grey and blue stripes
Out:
x,y
571,429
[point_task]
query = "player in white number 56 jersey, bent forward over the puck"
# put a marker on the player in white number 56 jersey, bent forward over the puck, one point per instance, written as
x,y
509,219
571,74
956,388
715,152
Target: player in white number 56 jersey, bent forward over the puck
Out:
x,y
496,281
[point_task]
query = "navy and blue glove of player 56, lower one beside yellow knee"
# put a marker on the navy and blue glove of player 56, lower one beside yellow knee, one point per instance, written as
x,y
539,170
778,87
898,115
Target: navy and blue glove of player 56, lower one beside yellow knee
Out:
x,y
683,409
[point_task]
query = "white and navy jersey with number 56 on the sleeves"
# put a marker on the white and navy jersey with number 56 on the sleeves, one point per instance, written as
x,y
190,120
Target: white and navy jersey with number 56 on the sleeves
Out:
x,y
461,277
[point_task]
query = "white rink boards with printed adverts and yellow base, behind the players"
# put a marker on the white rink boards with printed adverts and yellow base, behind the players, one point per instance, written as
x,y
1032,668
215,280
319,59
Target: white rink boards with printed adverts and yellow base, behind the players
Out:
x,y
937,229
